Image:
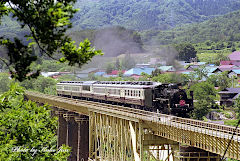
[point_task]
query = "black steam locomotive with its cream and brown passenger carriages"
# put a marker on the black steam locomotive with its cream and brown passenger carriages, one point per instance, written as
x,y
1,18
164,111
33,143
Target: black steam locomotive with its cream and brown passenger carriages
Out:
x,y
147,95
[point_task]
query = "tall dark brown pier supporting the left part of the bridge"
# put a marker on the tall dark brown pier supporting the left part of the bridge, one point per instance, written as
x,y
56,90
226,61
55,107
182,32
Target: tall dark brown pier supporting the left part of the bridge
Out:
x,y
73,130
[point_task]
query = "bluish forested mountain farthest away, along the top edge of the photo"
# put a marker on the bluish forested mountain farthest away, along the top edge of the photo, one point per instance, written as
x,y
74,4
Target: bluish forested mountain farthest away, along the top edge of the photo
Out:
x,y
148,14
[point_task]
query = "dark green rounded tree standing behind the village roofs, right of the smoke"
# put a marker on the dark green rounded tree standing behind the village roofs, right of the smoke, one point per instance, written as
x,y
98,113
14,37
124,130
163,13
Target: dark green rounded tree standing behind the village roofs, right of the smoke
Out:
x,y
186,51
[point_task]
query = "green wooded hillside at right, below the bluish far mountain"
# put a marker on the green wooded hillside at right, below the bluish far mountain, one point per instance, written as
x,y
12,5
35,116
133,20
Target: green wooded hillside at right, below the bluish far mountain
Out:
x,y
222,28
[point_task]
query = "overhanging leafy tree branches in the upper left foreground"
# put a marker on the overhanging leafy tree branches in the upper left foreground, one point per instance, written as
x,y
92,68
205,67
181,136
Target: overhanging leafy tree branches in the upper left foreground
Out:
x,y
47,22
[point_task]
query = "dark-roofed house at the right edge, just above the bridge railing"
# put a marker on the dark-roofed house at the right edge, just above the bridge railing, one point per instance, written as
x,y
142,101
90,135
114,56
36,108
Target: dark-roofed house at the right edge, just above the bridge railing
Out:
x,y
228,95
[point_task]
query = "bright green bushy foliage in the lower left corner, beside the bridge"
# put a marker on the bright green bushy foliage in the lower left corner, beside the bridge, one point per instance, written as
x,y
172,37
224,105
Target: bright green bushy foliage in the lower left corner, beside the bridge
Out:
x,y
25,125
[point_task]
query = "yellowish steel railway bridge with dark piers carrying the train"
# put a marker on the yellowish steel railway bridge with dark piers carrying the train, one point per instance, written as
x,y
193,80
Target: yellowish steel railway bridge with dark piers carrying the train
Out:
x,y
98,131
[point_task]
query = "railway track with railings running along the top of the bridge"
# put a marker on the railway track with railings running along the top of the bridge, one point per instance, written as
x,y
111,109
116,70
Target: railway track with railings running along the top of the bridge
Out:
x,y
216,130
